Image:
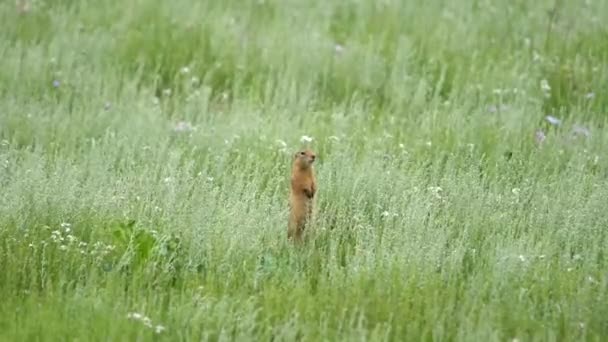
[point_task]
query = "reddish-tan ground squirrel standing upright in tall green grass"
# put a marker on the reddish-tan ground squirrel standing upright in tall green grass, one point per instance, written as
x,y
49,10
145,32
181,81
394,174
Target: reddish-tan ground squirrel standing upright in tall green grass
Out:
x,y
301,197
